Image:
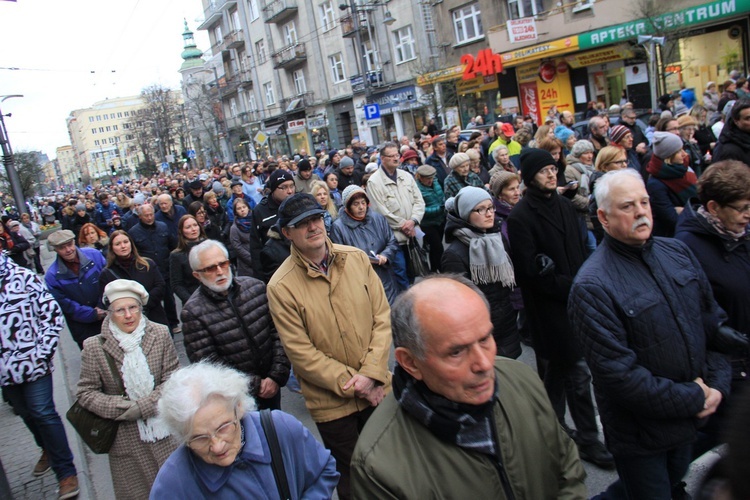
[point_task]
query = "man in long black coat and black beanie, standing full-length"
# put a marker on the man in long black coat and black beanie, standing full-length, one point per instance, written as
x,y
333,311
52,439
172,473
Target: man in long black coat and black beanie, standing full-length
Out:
x,y
548,244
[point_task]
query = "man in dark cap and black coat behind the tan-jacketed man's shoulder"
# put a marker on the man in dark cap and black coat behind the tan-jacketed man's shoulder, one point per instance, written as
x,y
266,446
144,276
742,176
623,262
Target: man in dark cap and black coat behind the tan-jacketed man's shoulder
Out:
x,y
280,186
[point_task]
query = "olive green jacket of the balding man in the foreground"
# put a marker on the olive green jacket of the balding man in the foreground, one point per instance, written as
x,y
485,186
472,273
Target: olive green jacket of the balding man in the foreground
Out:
x,y
397,457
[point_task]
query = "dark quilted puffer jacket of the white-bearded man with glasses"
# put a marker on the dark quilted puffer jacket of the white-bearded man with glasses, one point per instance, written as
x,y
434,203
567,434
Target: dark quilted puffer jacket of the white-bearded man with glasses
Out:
x,y
236,329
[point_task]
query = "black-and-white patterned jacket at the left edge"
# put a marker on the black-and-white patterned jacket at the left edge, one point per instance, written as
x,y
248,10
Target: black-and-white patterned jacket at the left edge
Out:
x,y
30,324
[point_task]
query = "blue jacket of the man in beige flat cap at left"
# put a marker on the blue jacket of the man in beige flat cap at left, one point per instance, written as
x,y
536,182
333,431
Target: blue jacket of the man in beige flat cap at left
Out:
x,y
78,295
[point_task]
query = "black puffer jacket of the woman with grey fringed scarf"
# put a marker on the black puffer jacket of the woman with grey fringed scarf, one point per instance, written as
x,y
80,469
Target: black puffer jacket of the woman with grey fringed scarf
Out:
x,y
456,260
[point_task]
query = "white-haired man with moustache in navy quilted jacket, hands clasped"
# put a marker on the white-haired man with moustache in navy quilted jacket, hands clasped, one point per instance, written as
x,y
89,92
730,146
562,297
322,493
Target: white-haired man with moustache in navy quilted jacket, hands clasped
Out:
x,y
648,324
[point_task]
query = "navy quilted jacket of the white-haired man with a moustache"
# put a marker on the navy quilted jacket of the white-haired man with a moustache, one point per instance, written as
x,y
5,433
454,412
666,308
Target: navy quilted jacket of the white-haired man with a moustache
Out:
x,y
644,316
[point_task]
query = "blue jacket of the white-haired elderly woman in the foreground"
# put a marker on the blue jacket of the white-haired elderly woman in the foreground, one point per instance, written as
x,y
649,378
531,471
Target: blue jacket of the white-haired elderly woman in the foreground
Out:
x,y
310,468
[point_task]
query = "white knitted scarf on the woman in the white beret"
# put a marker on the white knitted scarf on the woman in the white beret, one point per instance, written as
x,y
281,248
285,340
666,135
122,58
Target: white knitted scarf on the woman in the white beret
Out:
x,y
137,378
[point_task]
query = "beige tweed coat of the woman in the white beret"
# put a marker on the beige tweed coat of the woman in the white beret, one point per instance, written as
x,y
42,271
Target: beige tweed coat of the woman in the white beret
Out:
x,y
133,463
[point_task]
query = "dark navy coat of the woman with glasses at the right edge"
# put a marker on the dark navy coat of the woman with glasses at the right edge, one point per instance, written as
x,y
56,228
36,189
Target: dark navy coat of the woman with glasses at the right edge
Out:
x,y
726,263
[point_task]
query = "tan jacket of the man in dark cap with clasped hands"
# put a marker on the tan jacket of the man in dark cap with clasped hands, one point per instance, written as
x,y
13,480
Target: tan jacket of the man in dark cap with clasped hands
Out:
x,y
333,327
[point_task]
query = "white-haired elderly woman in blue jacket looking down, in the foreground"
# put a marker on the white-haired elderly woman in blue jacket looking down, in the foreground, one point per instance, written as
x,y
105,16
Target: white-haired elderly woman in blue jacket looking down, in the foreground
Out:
x,y
225,452
